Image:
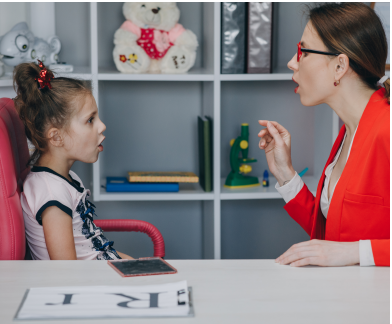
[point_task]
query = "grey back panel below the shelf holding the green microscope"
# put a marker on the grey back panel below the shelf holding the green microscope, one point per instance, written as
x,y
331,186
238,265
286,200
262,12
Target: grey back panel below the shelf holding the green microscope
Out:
x,y
257,229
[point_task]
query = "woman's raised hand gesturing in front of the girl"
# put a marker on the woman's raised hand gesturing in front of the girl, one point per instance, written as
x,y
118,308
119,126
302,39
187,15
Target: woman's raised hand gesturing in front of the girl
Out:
x,y
276,142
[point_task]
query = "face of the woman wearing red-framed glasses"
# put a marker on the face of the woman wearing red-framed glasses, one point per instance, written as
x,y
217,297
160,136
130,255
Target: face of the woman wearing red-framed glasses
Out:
x,y
314,73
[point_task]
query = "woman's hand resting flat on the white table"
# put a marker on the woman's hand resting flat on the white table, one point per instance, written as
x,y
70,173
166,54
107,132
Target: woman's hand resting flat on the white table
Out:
x,y
321,253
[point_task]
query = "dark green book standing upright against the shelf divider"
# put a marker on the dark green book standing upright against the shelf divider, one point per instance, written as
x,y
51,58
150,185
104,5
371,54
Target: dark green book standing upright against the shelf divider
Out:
x,y
205,153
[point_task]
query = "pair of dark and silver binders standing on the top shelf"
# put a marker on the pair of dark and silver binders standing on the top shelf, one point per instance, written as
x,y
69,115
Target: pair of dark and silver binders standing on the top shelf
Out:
x,y
246,37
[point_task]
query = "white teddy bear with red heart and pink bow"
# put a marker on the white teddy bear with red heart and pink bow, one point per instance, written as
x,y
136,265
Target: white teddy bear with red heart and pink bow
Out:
x,y
151,40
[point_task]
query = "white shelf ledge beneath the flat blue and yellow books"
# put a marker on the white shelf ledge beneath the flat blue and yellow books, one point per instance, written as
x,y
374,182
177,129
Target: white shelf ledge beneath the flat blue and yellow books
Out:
x,y
188,191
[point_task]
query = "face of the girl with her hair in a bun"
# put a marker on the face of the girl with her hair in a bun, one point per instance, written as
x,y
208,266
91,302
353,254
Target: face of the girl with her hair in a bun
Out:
x,y
85,135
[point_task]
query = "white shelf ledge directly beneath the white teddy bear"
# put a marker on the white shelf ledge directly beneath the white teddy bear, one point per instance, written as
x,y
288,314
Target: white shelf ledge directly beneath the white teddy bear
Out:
x,y
110,74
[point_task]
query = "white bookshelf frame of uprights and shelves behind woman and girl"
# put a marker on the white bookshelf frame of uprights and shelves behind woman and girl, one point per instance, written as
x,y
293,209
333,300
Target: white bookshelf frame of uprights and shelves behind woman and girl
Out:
x,y
212,82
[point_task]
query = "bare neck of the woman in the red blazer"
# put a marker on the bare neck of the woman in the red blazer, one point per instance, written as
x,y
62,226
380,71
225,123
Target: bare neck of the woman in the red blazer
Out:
x,y
349,104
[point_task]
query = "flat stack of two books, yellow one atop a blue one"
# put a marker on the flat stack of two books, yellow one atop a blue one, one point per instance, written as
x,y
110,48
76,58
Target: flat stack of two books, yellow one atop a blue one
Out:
x,y
149,182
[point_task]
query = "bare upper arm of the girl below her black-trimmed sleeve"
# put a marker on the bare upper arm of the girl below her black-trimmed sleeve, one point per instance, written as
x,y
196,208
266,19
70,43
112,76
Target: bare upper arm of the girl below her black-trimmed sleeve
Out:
x,y
58,234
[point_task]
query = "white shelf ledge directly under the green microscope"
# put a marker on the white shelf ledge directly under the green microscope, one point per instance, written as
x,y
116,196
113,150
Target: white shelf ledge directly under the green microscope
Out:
x,y
260,192
